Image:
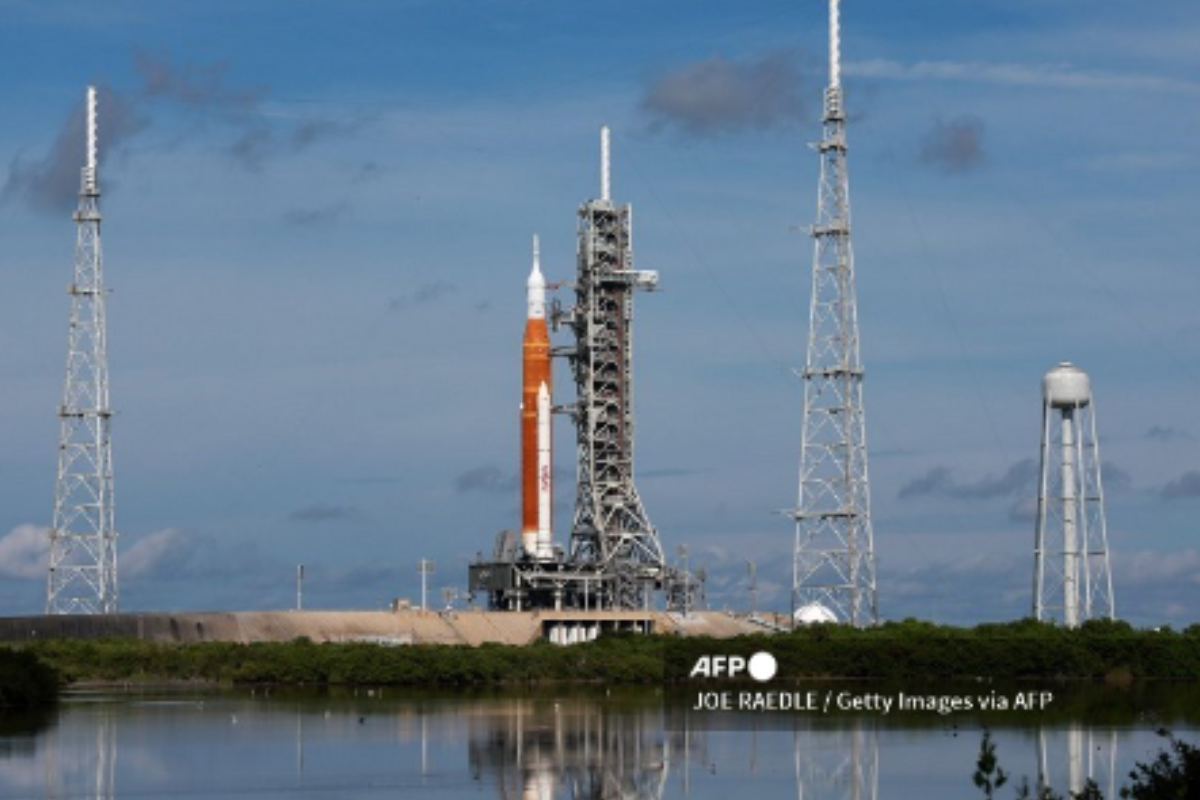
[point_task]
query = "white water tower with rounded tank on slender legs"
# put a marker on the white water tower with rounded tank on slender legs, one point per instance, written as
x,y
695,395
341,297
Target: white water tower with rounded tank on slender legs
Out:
x,y
1072,581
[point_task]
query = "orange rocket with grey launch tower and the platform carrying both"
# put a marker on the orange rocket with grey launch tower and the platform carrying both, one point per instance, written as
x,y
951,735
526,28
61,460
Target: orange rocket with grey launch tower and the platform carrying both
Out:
x,y
615,560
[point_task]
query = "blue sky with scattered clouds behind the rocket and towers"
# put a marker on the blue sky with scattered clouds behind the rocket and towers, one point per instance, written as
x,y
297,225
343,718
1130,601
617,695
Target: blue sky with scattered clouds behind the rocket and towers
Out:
x,y
317,224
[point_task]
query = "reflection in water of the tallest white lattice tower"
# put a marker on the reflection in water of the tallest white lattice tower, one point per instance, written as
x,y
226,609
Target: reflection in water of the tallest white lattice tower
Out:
x,y
838,765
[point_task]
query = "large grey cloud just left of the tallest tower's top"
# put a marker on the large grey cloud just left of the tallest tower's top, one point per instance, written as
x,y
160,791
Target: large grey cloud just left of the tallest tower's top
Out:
x,y
719,97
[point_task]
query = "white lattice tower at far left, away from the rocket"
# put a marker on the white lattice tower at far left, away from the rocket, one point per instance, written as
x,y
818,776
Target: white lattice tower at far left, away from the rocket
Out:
x,y
83,539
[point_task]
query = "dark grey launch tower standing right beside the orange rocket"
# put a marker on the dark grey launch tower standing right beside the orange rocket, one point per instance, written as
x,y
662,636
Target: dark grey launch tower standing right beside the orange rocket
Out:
x,y
610,527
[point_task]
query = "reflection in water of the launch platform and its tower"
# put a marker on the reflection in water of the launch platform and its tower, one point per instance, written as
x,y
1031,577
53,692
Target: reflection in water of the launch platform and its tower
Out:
x,y
569,750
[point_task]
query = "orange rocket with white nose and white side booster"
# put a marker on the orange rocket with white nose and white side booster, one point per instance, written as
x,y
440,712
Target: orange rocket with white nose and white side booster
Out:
x,y
537,474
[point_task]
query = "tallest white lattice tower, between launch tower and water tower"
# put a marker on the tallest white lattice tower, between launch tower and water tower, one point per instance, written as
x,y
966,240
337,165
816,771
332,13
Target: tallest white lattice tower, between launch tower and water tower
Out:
x,y
835,560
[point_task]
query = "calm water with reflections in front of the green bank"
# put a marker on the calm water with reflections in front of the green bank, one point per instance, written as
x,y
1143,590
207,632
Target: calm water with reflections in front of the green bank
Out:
x,y
556,744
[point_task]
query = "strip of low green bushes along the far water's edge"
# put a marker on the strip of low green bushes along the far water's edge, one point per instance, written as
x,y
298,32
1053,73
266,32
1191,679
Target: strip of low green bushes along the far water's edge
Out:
x,y
911,649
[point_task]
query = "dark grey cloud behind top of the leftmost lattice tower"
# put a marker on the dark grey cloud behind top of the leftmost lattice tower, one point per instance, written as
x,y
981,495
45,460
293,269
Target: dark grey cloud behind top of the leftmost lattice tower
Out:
x,y
51,183
